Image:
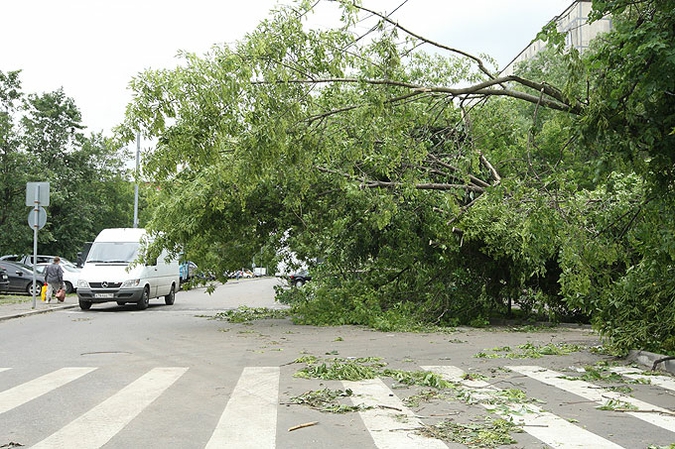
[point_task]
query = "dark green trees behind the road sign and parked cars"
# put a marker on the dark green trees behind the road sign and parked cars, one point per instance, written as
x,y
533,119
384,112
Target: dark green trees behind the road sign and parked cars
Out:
x,y
41,140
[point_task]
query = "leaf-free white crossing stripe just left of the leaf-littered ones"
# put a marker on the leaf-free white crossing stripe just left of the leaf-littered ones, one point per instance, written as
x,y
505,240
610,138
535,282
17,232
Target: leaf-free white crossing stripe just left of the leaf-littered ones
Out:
x,y
250,417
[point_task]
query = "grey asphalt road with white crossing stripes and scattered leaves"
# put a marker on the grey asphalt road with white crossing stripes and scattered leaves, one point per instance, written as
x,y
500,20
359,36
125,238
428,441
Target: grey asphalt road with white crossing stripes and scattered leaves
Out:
x,y
171,376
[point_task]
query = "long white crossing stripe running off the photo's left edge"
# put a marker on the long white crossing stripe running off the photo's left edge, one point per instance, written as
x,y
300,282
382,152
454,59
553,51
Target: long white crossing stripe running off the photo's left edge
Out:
x,y
28,391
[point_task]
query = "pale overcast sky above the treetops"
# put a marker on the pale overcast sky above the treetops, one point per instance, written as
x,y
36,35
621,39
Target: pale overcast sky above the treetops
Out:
x,y
92,48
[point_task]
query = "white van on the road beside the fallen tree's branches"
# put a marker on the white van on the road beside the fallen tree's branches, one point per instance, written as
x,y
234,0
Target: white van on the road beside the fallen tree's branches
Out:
x,y
109,273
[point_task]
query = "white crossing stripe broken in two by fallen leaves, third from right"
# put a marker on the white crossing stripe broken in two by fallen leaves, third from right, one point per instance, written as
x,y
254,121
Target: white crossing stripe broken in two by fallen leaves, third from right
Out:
x,y
546,427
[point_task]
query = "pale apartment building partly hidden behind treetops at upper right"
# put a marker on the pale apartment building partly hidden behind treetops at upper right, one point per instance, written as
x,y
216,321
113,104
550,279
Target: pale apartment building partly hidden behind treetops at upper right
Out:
x,y
574,22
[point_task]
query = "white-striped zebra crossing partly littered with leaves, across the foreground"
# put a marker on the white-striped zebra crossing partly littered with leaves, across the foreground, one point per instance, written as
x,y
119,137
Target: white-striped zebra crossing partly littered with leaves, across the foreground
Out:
x,y
250,415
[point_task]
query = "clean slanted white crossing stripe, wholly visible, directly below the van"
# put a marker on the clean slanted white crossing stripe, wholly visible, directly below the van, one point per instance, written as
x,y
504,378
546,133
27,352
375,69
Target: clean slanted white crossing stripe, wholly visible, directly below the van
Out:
x,y
96,427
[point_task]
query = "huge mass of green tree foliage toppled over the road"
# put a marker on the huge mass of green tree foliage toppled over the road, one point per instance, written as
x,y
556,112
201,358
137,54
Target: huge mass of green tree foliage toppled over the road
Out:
x,y
427,203
